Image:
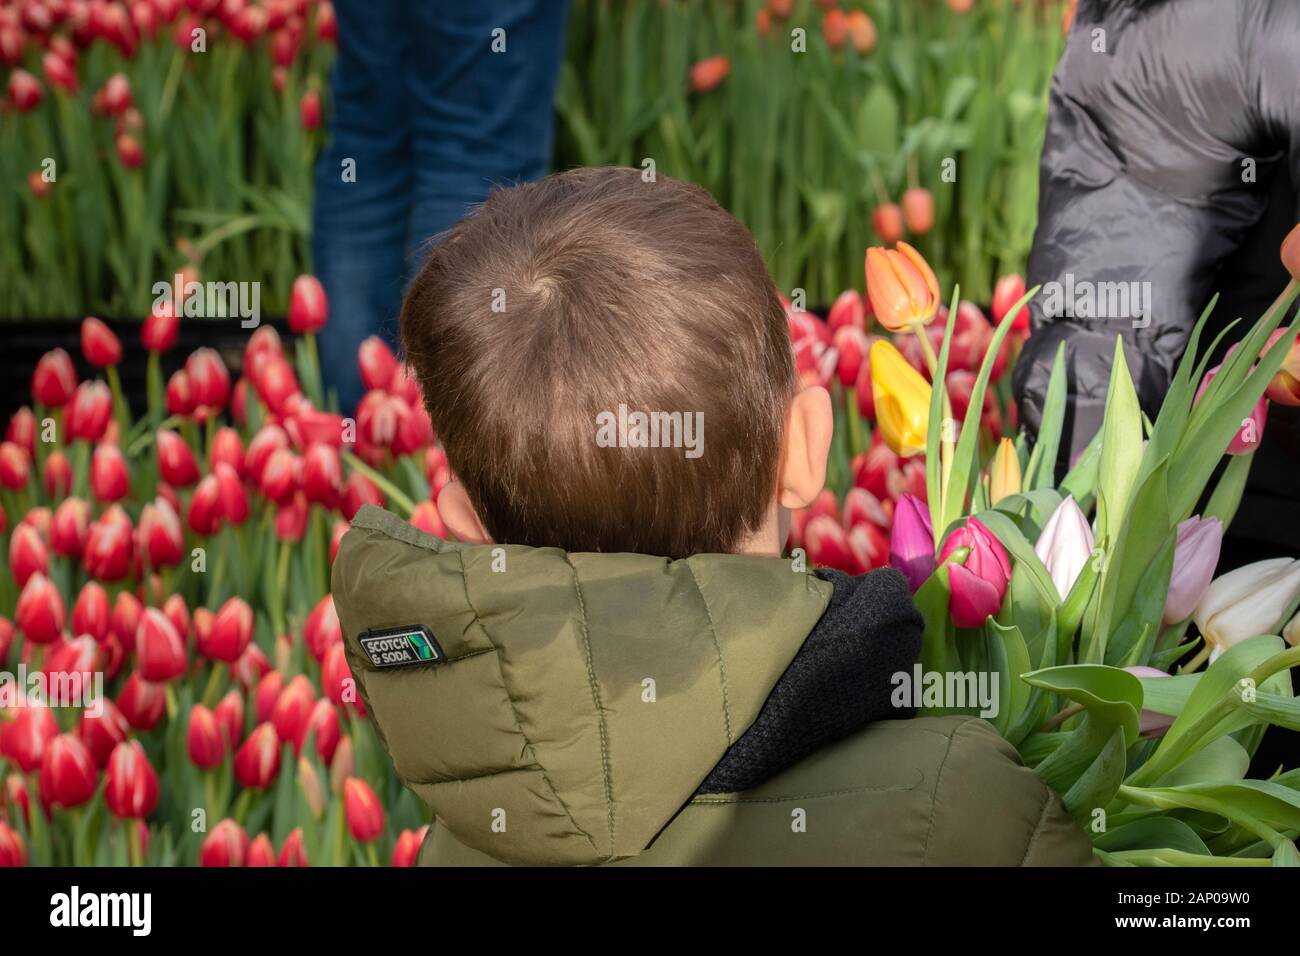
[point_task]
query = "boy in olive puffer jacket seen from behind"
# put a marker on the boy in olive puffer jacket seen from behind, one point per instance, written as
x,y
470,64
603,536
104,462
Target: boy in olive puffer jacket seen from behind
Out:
x,y
554,693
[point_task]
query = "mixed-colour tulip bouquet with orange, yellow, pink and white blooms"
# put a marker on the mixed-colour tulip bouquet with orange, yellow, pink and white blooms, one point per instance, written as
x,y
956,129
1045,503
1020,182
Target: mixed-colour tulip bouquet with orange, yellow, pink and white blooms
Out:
x,y
1084,621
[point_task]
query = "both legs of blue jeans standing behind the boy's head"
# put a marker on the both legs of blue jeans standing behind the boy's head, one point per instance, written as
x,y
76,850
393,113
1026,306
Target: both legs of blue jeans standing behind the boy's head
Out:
x,y
432,119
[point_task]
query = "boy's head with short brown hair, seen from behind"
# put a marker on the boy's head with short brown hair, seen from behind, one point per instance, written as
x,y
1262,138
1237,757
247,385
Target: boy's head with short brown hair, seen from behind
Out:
x,y
541,325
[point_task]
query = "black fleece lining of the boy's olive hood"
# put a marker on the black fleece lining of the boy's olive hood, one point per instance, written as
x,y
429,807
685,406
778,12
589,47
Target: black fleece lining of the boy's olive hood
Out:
x,y
839,681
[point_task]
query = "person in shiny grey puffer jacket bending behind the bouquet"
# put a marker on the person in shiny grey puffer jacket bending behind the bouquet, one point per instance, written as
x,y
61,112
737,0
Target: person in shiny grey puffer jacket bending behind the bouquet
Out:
x,y
1171,172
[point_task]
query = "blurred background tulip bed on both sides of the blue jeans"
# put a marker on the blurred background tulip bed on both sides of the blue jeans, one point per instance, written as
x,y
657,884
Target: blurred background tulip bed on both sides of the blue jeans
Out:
x,y
148,139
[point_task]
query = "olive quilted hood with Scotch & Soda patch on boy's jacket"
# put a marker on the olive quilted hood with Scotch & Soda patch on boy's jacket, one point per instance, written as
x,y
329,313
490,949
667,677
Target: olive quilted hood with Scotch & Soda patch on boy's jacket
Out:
x,y
578,700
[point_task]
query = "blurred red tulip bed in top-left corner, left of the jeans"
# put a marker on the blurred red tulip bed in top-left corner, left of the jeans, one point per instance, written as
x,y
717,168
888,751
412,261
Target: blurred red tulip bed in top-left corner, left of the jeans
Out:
x,y
151,139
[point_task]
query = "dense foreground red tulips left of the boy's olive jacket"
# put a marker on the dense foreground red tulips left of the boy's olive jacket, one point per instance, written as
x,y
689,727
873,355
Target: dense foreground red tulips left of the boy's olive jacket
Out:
x,y
172,678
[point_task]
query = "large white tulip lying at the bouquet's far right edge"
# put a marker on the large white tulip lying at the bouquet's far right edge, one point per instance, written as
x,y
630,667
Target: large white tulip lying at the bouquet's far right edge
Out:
x,y
1247,603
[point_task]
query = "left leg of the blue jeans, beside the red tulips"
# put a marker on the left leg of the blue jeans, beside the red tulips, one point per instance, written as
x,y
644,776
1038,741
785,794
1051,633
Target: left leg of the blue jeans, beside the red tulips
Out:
x,y
361,230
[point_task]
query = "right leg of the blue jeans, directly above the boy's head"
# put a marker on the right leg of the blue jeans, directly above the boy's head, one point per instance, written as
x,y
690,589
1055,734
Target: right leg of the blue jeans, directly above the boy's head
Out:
x,y
480,118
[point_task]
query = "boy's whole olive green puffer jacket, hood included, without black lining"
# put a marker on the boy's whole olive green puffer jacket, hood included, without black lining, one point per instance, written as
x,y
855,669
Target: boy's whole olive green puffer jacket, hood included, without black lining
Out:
x,y
569,707
